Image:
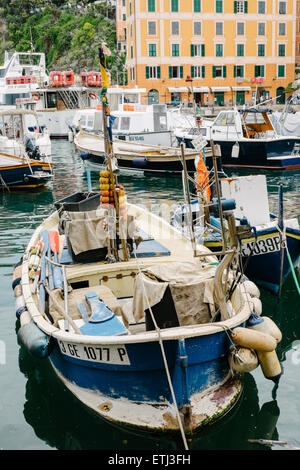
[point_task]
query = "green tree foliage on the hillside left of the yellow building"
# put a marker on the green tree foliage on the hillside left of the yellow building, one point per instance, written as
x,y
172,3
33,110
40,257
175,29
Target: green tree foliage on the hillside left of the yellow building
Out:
x,y
68,32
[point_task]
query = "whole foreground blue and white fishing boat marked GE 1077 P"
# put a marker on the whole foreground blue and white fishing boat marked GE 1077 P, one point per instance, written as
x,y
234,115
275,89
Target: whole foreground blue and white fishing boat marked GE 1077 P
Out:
x,y
140,324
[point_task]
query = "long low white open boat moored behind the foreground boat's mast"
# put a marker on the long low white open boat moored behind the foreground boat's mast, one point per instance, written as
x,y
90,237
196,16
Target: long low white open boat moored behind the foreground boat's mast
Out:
x,y
135,156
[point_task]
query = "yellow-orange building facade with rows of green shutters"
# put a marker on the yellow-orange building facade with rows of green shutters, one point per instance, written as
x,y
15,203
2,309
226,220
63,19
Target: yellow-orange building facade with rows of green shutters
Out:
x,y
221,51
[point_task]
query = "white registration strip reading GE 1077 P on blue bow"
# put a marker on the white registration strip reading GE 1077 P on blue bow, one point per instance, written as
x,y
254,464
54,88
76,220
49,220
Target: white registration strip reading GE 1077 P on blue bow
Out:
x,y
105,354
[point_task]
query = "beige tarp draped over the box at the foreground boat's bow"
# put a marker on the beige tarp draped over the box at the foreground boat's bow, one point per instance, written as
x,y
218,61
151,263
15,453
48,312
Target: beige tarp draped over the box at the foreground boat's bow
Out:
x,y
192,288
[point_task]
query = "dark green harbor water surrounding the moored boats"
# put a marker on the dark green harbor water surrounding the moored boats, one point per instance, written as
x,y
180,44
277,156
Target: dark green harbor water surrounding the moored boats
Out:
x,y
38,413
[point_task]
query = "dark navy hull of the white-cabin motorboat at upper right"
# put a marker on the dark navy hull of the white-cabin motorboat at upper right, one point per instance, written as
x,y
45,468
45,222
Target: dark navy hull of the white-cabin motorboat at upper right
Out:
x,y
269,154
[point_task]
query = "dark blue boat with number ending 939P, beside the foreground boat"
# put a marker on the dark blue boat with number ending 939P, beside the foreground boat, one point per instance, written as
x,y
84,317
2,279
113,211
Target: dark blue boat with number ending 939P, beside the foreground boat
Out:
x,y
272,251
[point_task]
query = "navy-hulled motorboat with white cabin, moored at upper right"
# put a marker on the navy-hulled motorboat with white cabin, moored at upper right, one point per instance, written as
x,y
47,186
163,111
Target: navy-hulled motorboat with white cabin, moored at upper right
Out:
x,y
248,139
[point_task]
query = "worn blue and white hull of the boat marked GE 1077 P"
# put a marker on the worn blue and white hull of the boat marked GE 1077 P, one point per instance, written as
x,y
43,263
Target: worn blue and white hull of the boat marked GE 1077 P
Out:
x,y
125,389
